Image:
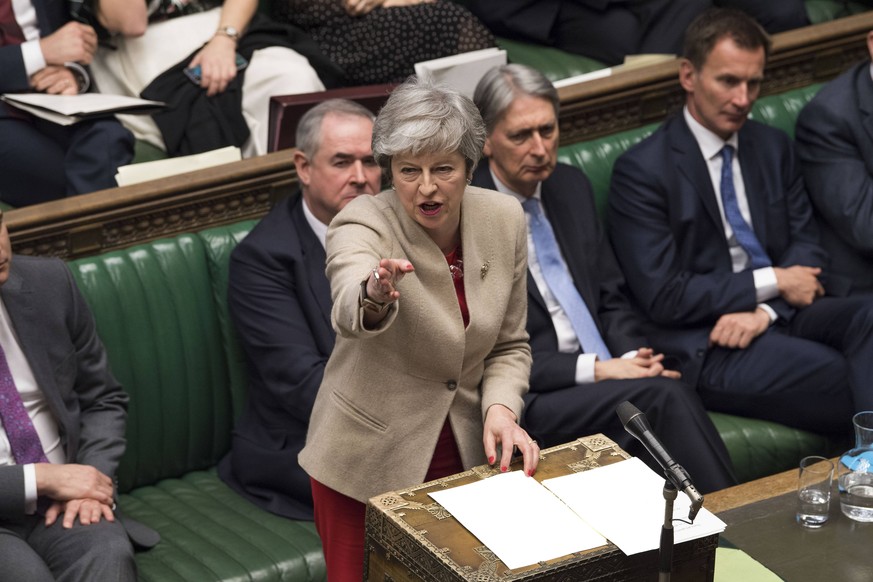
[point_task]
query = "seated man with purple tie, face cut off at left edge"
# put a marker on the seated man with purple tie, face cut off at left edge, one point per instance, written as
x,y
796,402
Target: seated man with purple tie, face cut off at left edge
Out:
x,y
56,494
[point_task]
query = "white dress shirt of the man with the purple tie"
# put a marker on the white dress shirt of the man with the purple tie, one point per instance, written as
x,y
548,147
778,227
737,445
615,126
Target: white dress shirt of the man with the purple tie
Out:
x,y
37,408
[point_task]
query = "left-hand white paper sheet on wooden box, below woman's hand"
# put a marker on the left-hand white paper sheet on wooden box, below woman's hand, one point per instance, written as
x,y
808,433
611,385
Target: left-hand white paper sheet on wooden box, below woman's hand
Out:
x,y
518,519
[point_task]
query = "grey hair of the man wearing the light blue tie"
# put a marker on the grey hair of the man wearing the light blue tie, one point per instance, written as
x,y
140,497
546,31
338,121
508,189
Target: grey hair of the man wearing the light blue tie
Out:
x,y
498,88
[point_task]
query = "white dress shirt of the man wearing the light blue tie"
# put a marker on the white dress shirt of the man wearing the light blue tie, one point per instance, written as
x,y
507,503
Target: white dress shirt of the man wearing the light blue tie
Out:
x,y
568,343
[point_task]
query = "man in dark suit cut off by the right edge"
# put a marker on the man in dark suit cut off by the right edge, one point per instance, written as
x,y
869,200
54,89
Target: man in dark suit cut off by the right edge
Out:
x,y
835,142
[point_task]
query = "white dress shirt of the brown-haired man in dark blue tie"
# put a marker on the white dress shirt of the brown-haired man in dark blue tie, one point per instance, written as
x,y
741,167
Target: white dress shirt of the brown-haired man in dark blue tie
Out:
x,y
710,146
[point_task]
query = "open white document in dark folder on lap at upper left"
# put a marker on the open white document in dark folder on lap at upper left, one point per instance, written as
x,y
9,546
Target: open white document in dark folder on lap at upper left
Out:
x,y
70,109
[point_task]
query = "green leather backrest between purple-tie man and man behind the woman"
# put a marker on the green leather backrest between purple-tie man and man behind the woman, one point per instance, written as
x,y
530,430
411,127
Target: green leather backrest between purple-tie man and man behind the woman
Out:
x,y
156,311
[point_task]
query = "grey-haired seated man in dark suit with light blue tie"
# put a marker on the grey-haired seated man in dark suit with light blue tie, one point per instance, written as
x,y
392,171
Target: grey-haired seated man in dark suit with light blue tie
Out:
x,y
575,388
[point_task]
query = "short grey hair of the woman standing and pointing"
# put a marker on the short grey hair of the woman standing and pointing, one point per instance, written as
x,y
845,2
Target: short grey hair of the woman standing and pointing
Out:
x,y
423,118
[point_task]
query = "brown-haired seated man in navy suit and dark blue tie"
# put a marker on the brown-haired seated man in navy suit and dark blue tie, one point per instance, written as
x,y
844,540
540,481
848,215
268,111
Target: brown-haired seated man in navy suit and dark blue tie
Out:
x,y
710,221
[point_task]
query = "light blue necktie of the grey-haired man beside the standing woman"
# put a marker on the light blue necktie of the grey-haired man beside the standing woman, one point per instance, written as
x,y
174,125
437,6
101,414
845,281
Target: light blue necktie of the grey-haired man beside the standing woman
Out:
x,y
561,284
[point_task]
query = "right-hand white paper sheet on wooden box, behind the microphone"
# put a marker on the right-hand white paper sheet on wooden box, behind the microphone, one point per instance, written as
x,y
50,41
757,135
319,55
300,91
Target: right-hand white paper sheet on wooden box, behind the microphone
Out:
x,y
625,502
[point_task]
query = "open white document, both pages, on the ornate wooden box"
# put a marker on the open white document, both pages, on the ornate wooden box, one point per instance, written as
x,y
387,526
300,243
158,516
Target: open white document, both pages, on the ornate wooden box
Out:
x,y
524,522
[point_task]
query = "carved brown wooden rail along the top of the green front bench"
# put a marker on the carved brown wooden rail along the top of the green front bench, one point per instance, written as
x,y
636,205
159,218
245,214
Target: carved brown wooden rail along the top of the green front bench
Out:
x,y
121,217
